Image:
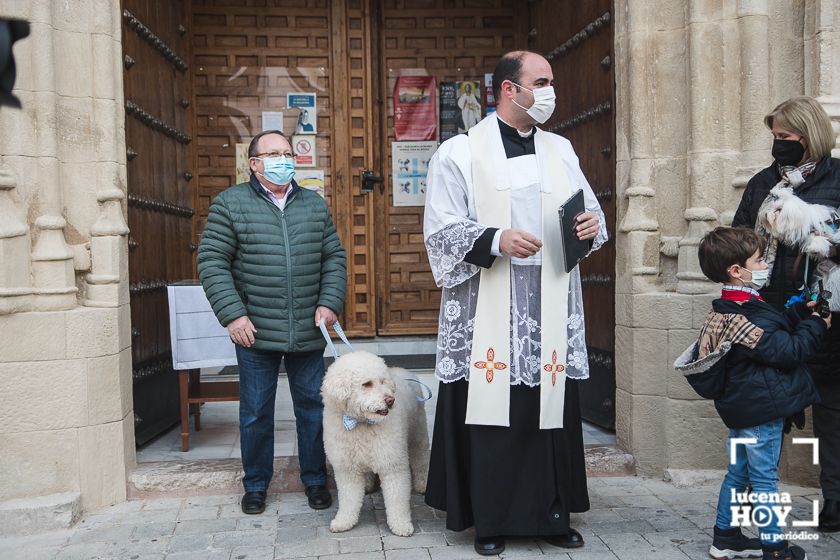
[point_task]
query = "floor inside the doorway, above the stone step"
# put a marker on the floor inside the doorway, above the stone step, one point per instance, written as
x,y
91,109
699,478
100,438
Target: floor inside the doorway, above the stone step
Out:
x,y
219,435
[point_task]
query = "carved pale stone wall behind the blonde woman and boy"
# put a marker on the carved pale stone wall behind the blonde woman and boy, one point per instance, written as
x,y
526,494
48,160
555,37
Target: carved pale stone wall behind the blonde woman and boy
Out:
x,y
694,80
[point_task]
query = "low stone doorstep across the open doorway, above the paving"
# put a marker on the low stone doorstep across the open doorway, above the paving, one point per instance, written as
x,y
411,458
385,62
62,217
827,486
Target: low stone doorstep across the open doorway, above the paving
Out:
x,y
224,476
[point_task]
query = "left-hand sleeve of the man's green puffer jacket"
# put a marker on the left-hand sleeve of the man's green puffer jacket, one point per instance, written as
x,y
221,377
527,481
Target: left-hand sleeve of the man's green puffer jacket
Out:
x,y
215,261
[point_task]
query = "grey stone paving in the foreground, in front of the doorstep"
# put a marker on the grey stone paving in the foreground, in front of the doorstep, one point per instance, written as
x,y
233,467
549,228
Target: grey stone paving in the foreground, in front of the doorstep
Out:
x,y
632,518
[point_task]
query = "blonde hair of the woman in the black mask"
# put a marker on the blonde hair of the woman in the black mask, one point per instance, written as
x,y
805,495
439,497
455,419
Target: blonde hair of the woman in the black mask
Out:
x,y
805,116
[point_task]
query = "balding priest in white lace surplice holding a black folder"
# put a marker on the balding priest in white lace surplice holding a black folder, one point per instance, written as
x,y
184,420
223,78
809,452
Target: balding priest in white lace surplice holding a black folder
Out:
x,y
507,450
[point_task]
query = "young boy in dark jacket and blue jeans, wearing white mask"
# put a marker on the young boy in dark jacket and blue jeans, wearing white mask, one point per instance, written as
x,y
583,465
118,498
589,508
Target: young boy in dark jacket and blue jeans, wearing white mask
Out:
x,y
750,358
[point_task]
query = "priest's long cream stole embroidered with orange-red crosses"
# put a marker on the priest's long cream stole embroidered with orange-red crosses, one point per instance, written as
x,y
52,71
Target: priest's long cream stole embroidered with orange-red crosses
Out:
x,y
488,398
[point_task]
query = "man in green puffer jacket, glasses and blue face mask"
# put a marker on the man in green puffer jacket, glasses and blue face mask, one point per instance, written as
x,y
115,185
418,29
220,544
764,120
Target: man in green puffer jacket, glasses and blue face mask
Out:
x,y
272,266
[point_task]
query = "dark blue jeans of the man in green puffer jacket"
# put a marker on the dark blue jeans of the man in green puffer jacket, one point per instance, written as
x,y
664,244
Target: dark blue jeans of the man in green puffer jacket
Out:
x,y
258,372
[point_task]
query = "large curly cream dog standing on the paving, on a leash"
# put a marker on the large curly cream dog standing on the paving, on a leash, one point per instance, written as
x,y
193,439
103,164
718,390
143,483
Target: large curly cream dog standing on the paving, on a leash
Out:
x,y
374,423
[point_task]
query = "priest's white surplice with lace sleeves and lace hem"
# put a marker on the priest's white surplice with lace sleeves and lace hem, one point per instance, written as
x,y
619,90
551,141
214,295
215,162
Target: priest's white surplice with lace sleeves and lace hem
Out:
x,y
451,228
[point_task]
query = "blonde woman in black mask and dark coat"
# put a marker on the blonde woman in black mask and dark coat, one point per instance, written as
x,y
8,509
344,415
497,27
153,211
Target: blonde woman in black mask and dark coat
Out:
x,y
802,142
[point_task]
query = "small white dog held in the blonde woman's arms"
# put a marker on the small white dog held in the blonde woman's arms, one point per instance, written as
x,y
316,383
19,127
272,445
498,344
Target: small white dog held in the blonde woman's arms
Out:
x,y
812,228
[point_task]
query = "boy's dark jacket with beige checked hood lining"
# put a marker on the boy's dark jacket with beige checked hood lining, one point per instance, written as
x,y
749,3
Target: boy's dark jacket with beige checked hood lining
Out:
x,y
754,368
